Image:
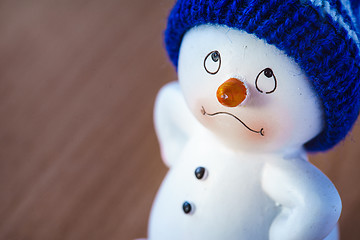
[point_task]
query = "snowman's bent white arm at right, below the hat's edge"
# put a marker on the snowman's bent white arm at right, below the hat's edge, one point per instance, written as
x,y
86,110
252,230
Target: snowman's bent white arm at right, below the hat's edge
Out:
x,y
309,203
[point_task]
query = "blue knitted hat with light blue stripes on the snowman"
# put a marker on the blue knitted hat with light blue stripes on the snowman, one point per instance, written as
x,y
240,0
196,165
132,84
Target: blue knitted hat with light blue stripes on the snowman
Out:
x,y
322,36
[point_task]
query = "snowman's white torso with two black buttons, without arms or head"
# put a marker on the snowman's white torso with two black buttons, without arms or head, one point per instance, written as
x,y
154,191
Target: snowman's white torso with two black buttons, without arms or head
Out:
x,y
228,204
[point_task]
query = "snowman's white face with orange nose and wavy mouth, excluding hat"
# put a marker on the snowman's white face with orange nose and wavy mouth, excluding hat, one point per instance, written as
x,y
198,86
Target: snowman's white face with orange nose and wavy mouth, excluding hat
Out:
x,y
251,95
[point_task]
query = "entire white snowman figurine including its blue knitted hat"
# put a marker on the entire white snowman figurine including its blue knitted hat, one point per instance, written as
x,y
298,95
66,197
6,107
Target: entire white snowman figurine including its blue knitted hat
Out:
x,y
260,85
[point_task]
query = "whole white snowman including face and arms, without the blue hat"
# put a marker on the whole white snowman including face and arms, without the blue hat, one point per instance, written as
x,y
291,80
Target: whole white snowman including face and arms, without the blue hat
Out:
x,y
241,112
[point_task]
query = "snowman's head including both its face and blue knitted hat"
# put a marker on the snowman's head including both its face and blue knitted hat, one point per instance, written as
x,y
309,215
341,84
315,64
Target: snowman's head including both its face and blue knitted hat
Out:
x,y
269,76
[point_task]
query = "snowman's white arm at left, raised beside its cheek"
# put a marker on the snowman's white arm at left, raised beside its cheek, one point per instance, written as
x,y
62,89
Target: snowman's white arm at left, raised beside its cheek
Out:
x,y
173,122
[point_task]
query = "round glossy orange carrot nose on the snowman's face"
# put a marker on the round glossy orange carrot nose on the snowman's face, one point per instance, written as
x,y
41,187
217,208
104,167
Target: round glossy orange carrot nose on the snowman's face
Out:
x,y
231,93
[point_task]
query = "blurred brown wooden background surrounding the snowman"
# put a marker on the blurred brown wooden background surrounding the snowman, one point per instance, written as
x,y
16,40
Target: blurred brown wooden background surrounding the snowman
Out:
x,y
79,158
